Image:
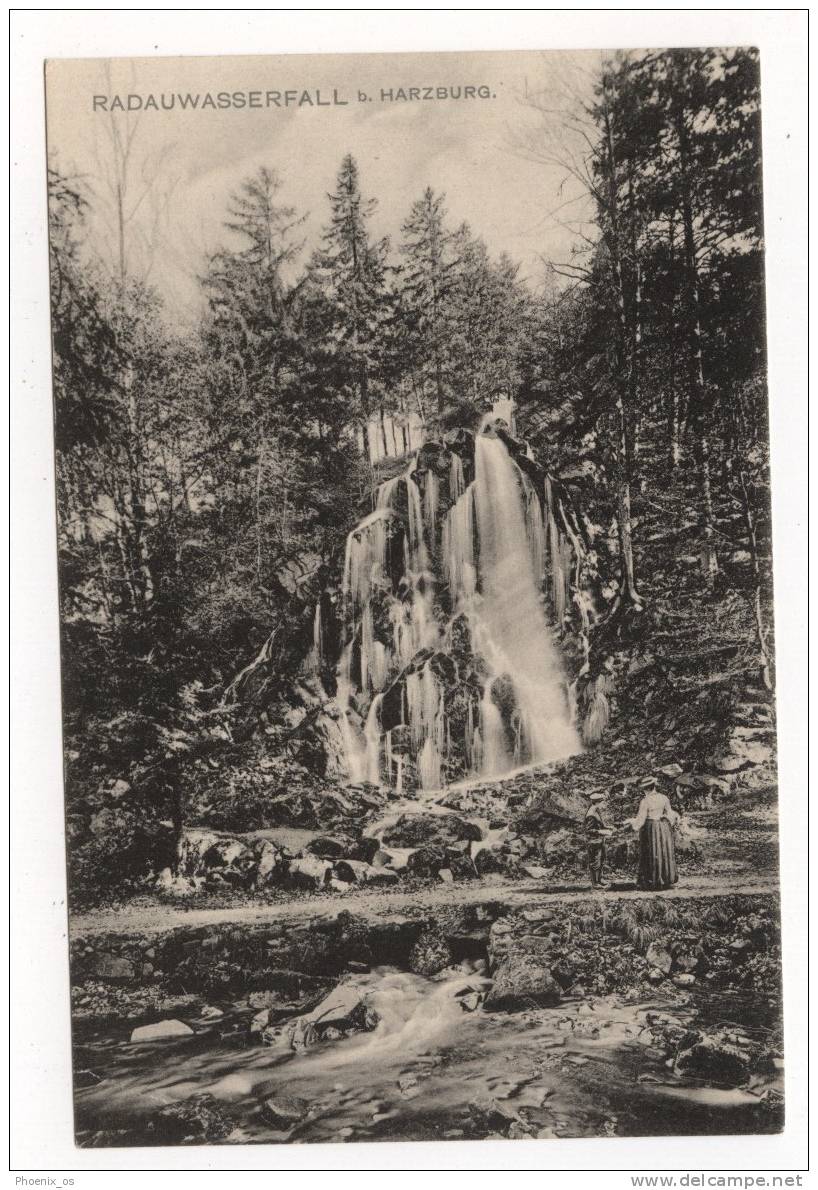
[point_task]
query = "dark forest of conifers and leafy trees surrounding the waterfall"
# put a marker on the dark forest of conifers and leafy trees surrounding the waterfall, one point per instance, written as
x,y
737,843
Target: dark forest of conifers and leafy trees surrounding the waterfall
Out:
x,y
209,474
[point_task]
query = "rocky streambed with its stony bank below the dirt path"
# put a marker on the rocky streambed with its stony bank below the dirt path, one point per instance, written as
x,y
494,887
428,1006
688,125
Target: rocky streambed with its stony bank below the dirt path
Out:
x,y
605,1016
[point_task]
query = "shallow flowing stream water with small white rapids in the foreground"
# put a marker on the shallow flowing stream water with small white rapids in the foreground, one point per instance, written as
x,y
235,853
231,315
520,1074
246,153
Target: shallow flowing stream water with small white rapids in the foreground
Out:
x,y
429,1072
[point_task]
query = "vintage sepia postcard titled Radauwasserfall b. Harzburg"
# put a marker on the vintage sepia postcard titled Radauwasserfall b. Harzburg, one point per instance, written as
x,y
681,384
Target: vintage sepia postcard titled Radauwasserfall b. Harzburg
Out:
x,y
416,597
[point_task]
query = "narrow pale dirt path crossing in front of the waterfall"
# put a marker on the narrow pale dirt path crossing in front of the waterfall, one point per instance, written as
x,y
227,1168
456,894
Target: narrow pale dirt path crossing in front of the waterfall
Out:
x,y
161,918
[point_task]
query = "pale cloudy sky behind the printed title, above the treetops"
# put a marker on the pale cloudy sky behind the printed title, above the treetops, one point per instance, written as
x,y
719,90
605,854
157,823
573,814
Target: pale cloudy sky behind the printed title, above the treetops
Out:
x,y
184,164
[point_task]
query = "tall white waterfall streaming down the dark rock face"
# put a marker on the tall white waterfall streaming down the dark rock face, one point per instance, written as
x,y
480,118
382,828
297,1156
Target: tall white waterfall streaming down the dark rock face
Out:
x,y
449,669
